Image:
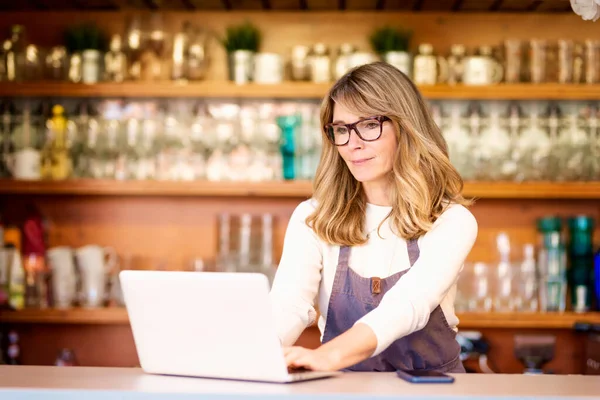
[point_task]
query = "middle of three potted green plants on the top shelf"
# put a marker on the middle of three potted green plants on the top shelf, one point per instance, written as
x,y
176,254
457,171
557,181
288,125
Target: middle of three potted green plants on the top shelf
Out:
x,y
241,43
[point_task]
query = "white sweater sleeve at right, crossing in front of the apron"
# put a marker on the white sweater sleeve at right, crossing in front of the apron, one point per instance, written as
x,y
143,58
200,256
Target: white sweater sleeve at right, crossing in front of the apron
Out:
x,y
406,307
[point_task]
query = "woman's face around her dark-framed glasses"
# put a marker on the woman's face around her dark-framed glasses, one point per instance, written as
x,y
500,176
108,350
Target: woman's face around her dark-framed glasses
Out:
x,y
369,162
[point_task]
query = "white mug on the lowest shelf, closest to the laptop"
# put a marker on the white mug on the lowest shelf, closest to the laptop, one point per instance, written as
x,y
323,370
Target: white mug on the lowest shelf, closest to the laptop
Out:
x,y
94,262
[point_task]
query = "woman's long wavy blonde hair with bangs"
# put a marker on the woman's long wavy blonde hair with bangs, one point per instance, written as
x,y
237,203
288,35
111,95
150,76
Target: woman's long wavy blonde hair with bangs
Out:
x,y
423,181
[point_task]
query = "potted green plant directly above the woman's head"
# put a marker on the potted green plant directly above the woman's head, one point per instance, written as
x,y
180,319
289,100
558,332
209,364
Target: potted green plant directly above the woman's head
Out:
x,y
392,45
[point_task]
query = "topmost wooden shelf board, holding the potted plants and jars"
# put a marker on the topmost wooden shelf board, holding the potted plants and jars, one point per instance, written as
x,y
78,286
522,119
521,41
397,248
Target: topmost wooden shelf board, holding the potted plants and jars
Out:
x,y
288,90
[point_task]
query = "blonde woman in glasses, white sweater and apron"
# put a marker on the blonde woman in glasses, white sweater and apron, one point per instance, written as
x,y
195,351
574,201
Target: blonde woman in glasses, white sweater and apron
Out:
x,y
380,245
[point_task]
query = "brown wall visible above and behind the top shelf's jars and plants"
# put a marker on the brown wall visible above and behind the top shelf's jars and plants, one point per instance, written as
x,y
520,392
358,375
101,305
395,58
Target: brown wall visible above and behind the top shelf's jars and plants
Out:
x,y
281,30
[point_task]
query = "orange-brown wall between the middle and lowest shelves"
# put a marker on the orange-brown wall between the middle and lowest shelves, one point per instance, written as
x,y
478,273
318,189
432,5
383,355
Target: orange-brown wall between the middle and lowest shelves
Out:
x,y
172,230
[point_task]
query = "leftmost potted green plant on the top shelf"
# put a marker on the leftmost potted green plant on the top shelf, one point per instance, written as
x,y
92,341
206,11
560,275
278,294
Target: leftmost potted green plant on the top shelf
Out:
x,y
85,44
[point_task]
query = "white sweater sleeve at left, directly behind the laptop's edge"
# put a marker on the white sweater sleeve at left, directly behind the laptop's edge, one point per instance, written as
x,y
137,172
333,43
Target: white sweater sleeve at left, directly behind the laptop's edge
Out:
x,y
297,279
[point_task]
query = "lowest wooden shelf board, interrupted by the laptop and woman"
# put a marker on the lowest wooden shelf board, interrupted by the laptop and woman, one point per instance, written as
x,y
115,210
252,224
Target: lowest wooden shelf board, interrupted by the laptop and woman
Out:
x,y
117,315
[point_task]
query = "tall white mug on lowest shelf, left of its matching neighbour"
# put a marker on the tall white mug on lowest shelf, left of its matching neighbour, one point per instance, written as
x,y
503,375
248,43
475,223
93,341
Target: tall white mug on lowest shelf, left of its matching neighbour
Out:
x,y
64,278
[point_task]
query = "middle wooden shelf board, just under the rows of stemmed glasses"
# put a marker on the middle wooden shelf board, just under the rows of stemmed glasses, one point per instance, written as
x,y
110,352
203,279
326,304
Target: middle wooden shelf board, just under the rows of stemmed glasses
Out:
x,y
280,189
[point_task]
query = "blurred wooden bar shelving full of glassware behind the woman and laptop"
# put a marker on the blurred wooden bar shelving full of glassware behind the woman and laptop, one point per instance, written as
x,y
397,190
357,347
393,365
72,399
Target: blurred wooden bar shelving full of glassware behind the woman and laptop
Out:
x,y
181,135
